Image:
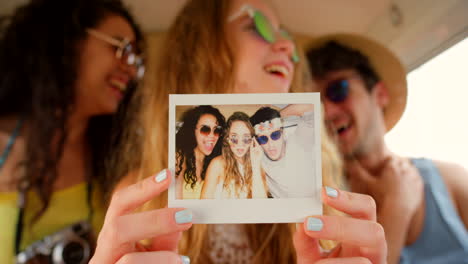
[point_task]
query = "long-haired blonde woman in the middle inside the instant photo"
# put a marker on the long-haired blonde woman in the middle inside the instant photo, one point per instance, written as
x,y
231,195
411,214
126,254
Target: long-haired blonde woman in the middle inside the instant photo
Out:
x,y
237,172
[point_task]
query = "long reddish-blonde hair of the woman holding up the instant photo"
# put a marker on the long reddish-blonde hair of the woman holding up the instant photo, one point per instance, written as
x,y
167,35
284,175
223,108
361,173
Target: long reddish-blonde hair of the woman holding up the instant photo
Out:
x,y
196,58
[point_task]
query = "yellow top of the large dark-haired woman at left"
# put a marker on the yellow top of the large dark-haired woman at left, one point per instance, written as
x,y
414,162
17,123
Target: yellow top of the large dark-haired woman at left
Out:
x,y
66,207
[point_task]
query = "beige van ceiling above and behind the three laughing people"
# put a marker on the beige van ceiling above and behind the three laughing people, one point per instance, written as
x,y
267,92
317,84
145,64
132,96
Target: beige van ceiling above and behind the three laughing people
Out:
x,y
415,30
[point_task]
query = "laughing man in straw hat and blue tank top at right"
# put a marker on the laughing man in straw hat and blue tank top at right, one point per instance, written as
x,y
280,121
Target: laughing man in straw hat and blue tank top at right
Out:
x,y
421,203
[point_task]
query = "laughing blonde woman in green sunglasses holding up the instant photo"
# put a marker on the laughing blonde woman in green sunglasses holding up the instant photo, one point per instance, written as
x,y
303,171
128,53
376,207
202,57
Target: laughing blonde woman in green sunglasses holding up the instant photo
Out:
x,y
214,47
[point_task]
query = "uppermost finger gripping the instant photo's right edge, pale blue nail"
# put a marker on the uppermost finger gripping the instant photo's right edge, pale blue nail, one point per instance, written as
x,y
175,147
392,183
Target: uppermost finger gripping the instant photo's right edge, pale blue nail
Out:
x,y
359,206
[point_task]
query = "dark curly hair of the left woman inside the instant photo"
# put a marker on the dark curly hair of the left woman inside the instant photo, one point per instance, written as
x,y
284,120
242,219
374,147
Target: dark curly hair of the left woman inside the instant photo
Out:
x,y
186,142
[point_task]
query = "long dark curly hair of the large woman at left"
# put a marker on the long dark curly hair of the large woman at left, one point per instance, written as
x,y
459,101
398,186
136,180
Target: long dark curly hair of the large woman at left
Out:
x,y
39,53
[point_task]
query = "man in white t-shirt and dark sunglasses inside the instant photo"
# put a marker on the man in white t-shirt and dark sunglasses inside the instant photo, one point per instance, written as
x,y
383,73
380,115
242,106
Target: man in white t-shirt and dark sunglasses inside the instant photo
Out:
x,y
288,163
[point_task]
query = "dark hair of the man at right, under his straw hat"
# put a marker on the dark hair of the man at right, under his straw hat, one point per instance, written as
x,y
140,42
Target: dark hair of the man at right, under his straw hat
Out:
x,y
333,56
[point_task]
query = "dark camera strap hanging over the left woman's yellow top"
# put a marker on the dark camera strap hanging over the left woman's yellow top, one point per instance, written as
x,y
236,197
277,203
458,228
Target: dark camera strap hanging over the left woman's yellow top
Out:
x,y
22,206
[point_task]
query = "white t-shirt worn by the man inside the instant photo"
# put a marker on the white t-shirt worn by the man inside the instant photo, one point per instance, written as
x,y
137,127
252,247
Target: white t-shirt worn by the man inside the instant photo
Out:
x,y
292,176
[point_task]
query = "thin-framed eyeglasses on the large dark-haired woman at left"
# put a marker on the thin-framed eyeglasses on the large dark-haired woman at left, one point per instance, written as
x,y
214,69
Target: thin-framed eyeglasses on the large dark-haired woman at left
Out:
x,y
126,51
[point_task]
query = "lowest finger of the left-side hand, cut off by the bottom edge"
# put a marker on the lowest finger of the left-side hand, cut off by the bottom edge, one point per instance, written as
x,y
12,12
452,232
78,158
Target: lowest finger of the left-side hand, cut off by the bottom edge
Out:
x,y
153,257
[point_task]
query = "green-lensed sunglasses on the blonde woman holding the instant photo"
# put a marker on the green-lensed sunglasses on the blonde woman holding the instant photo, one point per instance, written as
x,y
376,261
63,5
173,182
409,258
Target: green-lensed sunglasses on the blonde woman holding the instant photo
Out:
x,y
264,27
